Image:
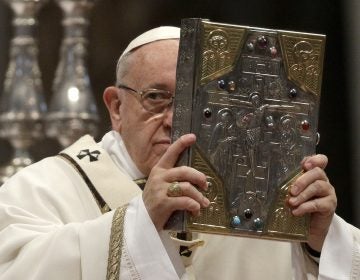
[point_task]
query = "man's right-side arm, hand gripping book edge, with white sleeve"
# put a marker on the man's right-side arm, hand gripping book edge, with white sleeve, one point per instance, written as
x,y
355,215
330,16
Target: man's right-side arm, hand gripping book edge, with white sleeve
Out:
x,y
329,234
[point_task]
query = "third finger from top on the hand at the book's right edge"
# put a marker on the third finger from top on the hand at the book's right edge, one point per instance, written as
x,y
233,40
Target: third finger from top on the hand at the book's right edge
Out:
x,y
317,189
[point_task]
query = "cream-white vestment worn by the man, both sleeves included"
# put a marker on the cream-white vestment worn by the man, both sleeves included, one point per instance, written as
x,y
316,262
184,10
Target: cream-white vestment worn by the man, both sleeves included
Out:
x,y
52,227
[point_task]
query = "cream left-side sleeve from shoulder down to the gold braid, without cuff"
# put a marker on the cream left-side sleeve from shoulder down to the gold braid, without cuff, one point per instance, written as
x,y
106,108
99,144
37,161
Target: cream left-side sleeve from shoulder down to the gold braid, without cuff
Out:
x,y
51,227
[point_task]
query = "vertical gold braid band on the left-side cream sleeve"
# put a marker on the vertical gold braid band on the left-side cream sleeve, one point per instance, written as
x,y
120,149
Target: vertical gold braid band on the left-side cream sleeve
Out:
x,y
116,244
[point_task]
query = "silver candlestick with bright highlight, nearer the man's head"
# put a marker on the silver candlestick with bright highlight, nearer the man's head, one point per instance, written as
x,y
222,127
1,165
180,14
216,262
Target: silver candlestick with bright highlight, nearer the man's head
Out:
x,y
72,111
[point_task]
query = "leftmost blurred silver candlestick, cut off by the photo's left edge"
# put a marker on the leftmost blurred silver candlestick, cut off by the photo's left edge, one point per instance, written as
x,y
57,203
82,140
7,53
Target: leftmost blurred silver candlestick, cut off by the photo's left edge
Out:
x,y
22,105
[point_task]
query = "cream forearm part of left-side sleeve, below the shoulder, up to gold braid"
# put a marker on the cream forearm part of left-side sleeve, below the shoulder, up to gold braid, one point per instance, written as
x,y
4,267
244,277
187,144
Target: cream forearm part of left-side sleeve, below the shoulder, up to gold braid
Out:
x,y
32,248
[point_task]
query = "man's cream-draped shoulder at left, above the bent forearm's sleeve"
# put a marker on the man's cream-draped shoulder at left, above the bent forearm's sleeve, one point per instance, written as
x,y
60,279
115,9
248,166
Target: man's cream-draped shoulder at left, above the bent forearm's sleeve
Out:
x,y
51,185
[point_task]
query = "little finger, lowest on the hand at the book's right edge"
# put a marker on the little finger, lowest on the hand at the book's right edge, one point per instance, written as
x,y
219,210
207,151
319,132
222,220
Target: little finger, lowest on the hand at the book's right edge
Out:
x,y
324,205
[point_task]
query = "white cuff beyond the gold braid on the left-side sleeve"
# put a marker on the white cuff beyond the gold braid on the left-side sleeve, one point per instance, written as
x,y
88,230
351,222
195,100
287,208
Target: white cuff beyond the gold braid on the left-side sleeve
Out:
x,y
147,254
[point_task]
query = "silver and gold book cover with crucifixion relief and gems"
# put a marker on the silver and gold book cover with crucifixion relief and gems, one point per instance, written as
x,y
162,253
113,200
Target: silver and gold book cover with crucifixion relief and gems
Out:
x,y
251,95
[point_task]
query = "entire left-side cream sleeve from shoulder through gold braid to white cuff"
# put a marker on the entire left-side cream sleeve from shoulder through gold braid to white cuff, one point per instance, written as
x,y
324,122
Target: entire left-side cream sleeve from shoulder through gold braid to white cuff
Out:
x,y
53,229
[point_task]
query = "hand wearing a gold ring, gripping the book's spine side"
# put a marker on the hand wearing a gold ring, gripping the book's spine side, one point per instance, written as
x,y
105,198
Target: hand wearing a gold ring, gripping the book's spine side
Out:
x,y
158,204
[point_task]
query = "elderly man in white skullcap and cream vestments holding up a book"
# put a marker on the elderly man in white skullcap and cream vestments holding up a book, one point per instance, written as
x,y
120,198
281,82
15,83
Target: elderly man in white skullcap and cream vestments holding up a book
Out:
x,y
79,215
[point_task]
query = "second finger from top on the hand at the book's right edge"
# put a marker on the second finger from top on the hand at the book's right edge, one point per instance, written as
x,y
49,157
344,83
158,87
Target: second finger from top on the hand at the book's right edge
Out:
x,y
306,179
